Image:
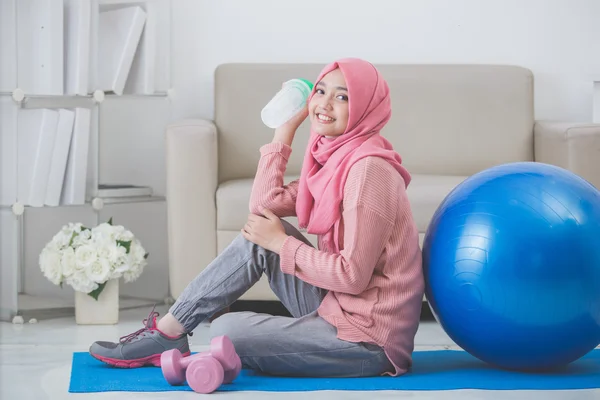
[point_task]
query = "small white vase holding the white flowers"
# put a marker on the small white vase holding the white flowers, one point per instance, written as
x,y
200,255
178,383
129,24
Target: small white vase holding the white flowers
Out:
x,y
104,311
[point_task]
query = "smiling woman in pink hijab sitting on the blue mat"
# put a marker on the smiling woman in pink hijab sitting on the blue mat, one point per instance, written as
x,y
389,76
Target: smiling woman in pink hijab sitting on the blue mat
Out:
x,y
356,300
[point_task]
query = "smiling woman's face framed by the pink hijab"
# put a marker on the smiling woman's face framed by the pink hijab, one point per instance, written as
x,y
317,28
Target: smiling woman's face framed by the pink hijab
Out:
x,y
328,108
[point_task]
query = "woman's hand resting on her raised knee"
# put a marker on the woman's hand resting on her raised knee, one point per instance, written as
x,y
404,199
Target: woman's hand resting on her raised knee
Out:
x,y
267,232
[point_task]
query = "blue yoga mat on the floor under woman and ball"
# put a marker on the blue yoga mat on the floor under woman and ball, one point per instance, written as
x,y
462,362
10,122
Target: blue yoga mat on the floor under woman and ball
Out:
x,y
433,370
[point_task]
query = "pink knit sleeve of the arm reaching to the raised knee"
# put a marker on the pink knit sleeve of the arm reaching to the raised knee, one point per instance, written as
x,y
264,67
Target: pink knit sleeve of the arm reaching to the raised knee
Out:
x,y
369,216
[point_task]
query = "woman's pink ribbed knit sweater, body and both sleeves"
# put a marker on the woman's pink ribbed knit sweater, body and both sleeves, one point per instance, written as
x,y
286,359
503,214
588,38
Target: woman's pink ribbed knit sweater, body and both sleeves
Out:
x,y
376,282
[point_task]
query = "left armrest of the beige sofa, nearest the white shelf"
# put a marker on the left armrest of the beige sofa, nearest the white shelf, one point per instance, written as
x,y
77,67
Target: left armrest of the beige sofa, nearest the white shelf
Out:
x,y
192,178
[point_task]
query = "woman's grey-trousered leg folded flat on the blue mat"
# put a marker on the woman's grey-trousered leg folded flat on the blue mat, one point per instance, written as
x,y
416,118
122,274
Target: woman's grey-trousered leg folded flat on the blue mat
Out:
x,y
305,346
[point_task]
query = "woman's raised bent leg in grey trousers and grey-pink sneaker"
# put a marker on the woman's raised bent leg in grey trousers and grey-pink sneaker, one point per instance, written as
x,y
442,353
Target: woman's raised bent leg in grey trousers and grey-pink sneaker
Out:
x,y
229,276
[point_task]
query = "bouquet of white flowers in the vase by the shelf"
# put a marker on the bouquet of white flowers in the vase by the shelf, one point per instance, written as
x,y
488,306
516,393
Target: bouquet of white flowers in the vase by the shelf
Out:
x,y
88,258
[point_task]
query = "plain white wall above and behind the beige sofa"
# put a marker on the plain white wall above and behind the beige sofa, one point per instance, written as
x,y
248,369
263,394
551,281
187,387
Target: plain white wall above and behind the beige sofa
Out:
x,y
559,40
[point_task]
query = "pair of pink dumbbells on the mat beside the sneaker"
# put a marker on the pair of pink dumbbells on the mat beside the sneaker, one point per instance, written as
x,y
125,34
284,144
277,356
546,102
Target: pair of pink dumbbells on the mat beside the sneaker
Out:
x,y
206,371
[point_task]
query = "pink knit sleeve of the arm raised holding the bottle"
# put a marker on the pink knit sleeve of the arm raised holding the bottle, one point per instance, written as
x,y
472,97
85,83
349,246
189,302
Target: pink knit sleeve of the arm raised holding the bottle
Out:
x,y
268,189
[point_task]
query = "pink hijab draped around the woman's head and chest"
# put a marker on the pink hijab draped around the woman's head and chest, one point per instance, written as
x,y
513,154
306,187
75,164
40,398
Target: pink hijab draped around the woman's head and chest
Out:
x,y
328,161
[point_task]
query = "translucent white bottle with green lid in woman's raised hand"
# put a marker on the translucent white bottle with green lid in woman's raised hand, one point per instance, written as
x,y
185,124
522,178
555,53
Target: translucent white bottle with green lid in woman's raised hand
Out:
x,y
286,103
